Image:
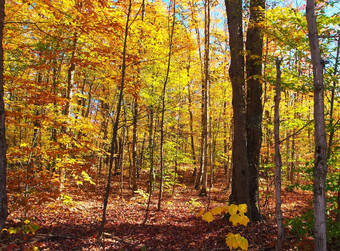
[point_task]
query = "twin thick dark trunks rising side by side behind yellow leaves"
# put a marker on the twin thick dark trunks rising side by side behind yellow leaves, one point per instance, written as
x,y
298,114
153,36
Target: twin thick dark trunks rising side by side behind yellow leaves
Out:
x,y
247,102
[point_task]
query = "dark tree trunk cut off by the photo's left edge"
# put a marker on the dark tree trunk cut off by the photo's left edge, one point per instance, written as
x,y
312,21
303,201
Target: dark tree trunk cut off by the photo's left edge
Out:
x,y
3,146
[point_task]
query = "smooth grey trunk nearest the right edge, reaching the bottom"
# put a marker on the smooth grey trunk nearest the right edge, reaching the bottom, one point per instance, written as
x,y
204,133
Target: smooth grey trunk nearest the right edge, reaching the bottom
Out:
x,y
320,169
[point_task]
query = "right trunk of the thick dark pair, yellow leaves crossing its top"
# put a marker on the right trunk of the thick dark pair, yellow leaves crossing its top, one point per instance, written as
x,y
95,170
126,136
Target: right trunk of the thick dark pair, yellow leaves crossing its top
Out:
x,y
254,45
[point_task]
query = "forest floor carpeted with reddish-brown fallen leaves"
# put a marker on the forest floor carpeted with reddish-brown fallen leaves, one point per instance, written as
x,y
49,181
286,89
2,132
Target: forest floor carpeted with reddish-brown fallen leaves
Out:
x,y
73,224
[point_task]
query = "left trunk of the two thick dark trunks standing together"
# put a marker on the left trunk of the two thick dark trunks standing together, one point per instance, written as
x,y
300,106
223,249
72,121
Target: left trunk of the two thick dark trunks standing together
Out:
x,y
240,192
